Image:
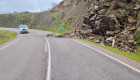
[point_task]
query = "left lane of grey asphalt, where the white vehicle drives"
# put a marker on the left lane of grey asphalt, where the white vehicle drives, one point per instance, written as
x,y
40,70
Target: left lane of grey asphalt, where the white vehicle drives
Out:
x,y
23,60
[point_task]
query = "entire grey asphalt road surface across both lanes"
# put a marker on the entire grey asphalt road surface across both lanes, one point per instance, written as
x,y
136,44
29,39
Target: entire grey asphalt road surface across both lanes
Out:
x,y
27,57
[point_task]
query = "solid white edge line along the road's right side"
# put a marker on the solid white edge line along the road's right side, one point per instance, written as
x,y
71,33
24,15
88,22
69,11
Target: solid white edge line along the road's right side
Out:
x,y
135,69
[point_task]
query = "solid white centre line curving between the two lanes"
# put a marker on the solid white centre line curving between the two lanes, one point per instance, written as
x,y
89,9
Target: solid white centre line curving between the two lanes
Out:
x,y
49,60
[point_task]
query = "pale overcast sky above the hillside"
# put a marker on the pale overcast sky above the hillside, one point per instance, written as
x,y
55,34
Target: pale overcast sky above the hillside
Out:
x,y
7,6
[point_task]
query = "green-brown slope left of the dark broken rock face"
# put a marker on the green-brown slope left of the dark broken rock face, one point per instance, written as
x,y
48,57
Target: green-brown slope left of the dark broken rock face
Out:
x,y
71,11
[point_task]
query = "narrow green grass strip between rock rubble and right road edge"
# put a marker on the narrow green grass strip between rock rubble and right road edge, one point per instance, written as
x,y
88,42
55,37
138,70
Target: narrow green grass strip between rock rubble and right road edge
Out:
x,y
133,56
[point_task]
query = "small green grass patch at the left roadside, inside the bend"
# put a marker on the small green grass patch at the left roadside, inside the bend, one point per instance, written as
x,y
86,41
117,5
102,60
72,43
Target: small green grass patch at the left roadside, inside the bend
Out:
x,y
6,35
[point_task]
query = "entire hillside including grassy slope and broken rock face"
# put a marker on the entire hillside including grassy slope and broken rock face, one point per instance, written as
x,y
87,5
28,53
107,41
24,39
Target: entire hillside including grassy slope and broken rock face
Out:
x,y
109,22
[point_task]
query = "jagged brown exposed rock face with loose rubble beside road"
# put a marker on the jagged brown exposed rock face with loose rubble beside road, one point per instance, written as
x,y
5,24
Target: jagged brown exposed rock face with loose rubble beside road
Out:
x,y
112,23
